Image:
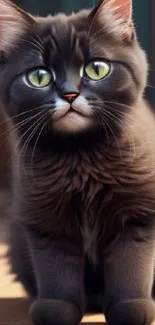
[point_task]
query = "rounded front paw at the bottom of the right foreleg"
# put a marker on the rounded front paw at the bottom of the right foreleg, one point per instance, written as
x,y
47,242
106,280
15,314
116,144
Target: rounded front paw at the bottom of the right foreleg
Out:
x,y
131,312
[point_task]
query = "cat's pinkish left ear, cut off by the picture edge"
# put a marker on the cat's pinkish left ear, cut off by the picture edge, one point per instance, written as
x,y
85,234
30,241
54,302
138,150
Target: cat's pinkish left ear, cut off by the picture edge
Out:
x,y
13,24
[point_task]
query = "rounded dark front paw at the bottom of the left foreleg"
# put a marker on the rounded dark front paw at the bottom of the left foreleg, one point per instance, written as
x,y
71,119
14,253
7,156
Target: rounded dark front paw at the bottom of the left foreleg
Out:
x,y
55,312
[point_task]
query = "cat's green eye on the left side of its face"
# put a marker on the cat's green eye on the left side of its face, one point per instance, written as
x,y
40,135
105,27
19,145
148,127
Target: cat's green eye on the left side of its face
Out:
x,y
39,78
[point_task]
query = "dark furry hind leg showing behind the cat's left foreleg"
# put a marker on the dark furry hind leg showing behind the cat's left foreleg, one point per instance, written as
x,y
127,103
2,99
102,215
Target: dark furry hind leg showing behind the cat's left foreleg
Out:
x,y
20,259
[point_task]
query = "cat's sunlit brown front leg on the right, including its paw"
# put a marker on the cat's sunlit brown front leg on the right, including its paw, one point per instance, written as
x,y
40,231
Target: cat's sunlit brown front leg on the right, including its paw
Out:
x,y
128,274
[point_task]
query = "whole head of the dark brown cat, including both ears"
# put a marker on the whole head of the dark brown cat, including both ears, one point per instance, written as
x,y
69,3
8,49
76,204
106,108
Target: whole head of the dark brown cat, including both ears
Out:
x,y
71,75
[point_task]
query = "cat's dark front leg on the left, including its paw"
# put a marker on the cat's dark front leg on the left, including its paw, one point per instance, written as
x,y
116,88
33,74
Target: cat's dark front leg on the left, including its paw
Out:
x,y
59,266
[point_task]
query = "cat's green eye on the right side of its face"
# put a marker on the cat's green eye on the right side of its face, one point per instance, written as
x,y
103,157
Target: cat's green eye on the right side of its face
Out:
x,y
97,70
